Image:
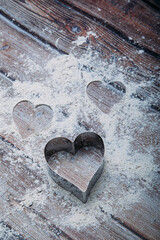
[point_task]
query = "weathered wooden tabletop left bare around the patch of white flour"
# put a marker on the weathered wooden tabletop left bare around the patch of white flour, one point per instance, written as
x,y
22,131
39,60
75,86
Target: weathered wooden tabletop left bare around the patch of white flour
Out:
x,y
122,30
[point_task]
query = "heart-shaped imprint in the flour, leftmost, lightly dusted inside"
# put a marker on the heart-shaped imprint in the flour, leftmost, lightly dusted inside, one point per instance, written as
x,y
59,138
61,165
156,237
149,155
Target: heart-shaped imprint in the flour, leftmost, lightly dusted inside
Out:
x,y
31,119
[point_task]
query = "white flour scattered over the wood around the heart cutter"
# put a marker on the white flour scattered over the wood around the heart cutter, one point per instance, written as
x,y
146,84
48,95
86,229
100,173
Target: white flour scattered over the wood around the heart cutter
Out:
x,y
64,89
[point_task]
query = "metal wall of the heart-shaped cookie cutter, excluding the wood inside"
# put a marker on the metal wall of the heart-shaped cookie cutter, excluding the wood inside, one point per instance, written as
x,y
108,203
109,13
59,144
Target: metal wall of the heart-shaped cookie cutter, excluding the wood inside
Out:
x,y
87,139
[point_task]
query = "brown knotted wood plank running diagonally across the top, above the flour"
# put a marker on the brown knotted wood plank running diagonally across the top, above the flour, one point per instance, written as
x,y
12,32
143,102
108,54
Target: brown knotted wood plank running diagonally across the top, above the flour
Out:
x,y
60,25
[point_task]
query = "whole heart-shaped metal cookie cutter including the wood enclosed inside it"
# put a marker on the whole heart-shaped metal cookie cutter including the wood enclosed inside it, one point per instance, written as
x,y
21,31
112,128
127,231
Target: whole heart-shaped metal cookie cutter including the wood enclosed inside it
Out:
x,y
76,166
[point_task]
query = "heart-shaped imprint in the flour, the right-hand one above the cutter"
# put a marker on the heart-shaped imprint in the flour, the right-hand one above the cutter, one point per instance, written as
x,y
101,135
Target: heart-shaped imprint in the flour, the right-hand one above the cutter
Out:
x,y
105,96
